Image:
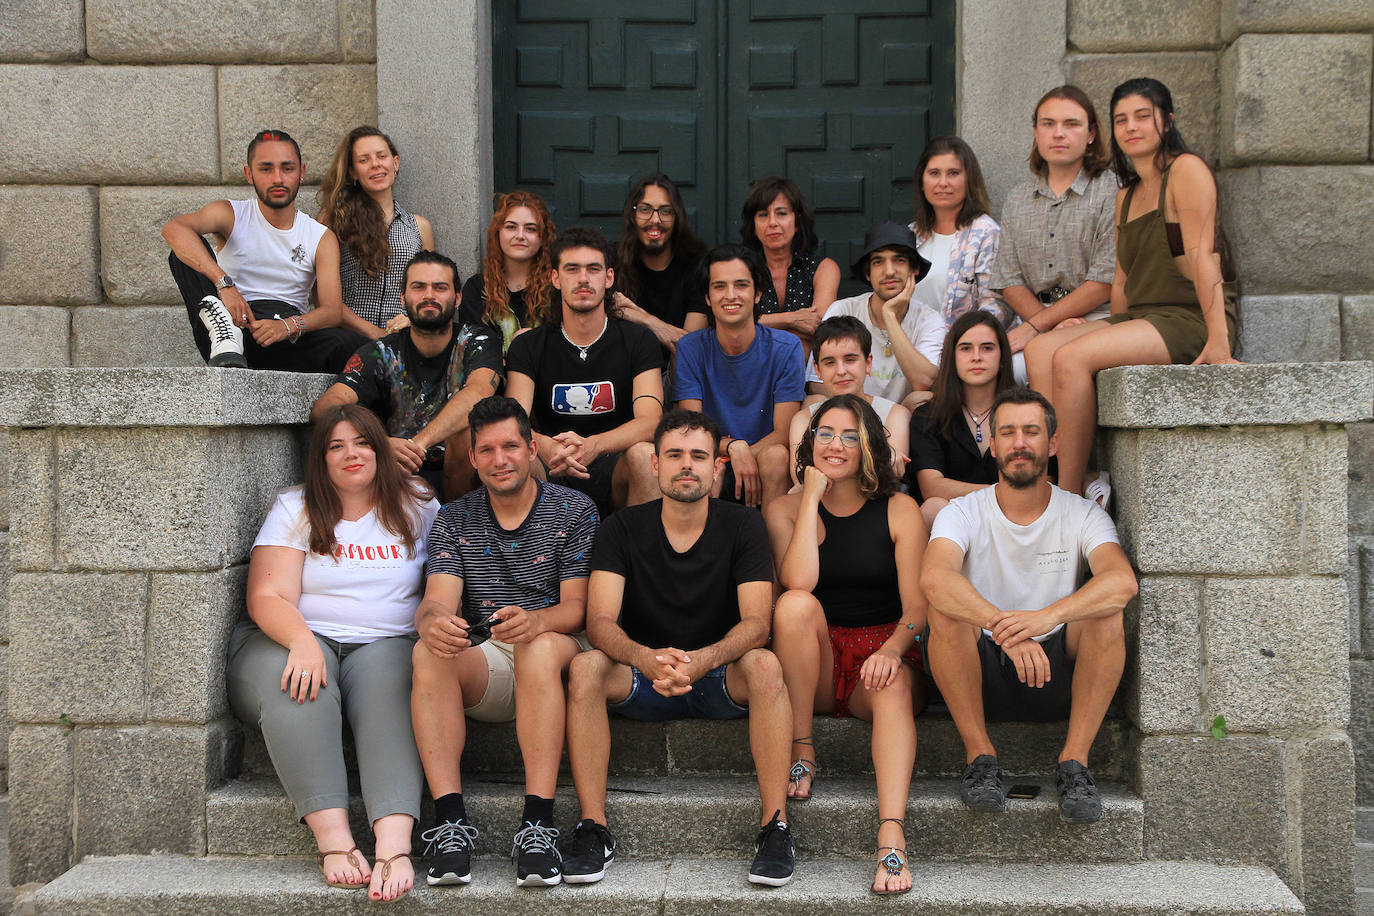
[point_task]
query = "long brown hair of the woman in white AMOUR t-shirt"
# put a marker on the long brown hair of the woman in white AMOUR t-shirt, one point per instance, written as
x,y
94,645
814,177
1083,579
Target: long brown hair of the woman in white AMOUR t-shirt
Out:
x,y
395,495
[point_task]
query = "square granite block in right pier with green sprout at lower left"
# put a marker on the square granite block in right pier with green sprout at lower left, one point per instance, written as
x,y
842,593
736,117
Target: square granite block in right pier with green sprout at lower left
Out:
x,y
1277,653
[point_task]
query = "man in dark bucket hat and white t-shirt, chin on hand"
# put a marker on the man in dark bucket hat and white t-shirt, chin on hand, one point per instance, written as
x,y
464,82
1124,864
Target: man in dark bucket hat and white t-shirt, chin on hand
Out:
x,y
906,336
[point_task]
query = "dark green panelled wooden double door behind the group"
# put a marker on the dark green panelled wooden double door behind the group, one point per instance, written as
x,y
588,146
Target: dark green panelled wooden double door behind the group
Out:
x,y
840,95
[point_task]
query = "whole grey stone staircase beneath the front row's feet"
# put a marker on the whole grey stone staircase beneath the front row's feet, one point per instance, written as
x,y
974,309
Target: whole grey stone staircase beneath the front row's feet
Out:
x,y
685,807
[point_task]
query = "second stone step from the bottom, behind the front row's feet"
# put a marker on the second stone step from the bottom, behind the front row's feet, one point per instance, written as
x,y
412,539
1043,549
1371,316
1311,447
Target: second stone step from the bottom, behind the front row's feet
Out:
x,y
719,816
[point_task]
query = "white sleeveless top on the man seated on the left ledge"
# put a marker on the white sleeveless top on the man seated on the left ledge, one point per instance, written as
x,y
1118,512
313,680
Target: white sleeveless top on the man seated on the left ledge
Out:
x,y
269,263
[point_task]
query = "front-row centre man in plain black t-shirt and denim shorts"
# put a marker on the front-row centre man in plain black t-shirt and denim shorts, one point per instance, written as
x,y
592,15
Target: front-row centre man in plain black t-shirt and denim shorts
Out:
x,y
678,613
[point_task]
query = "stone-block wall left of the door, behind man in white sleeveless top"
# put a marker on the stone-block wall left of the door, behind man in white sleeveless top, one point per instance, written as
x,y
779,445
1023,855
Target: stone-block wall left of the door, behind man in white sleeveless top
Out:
x,y
123,113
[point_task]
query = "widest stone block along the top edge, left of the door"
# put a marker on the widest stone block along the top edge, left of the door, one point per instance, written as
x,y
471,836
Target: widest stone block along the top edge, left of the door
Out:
x,y
212,32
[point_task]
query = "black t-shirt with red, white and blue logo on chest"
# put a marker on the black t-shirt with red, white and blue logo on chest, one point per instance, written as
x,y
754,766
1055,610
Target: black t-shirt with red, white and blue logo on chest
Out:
x,y
585,396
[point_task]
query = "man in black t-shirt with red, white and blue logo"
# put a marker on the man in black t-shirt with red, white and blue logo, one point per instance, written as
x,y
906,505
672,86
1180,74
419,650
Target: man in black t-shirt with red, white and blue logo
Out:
x,y
593,384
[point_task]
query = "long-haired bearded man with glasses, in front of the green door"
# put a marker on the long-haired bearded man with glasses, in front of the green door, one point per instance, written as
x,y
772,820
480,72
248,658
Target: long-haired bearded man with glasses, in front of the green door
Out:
x,y
656,262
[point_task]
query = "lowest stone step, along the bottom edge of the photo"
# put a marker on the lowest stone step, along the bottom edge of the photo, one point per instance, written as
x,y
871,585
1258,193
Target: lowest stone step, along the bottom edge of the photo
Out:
x,y
181,886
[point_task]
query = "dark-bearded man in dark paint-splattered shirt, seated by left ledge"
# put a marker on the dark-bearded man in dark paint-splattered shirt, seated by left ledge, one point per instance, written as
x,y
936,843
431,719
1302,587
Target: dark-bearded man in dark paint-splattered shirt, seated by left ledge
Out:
x,y
424,380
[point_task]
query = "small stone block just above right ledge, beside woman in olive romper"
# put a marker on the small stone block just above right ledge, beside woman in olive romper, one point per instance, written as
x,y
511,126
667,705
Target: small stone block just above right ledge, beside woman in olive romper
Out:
x,y
1291,329
